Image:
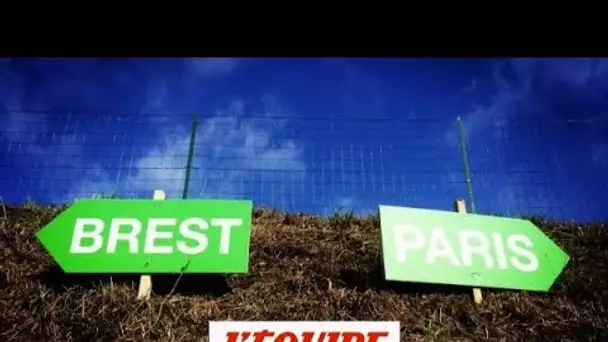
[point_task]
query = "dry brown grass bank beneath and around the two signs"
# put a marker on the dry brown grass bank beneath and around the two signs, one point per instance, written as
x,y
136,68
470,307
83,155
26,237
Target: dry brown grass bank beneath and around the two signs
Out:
x,y
302,268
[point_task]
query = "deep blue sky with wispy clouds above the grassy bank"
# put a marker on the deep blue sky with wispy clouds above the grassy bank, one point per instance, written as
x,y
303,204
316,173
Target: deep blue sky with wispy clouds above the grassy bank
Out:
x,y
311,134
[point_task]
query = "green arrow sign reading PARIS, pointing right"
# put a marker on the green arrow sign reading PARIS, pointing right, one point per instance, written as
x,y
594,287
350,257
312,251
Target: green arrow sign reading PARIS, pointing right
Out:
x,y
432,246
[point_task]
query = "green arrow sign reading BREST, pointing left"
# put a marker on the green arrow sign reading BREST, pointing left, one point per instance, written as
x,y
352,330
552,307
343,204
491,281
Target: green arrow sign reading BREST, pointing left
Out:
x,y
151,236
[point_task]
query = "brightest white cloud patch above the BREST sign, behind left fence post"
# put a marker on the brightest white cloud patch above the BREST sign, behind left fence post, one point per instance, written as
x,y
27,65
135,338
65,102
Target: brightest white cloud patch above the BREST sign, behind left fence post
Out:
x,y
228,150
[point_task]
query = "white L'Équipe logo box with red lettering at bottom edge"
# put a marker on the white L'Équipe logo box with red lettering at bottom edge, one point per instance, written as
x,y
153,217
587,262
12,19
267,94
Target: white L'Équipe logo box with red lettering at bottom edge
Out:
x,y
304,331
